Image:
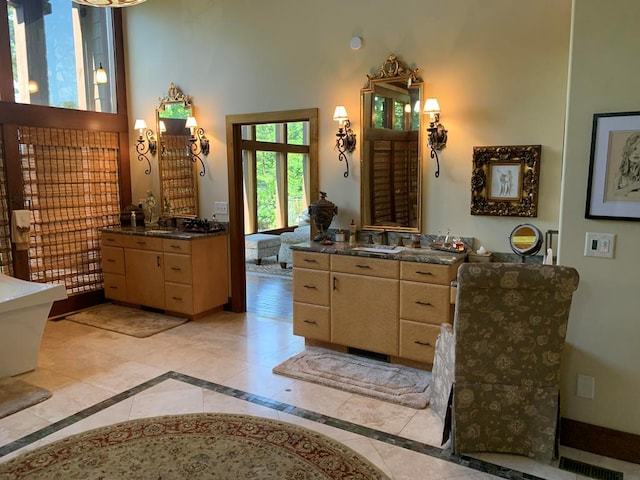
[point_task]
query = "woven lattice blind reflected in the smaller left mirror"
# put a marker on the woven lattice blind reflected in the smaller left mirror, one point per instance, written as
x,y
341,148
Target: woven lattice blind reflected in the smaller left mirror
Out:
x,y
177,175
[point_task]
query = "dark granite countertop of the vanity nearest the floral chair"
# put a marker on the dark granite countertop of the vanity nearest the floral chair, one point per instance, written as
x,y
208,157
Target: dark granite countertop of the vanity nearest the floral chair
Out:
x,y
407,254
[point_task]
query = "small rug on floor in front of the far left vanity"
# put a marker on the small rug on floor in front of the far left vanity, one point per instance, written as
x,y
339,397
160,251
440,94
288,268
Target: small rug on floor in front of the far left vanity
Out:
x,y
129,321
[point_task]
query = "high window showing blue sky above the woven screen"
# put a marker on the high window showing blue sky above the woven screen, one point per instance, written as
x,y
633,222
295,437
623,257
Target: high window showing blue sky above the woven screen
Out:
x,y
57,46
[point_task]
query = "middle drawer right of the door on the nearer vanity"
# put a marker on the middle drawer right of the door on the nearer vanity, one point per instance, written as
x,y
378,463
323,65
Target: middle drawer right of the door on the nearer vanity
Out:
x,y
425,303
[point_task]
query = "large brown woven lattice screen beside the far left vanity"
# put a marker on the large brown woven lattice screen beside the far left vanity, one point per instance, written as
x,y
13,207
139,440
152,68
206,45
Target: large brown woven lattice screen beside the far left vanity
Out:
x,y
71,183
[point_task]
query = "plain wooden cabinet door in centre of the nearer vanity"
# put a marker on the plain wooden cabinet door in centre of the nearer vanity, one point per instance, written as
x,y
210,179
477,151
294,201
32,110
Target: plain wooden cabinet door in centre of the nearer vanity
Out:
x,y
364,312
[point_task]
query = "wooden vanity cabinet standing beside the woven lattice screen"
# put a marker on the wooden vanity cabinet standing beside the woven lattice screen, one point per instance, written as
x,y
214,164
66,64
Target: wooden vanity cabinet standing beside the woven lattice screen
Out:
x,y
187,277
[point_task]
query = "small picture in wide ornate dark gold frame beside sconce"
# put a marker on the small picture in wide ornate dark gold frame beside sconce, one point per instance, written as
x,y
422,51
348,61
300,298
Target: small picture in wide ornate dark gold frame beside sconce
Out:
x,y
505,180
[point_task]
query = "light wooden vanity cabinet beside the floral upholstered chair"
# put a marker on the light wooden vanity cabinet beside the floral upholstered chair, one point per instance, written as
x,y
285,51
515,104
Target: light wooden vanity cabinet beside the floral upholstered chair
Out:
x,y
385,306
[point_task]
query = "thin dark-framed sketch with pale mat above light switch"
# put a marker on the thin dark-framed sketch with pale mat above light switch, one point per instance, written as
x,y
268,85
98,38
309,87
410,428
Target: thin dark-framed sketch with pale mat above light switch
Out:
x,y
613,188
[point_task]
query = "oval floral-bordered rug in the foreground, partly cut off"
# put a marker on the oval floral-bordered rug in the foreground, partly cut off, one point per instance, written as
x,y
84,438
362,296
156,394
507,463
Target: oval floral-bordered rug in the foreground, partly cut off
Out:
x,y
203,446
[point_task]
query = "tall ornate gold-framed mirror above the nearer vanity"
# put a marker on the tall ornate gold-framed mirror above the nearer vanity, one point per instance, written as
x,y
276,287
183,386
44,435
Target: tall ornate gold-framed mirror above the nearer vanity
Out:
x,y
391,119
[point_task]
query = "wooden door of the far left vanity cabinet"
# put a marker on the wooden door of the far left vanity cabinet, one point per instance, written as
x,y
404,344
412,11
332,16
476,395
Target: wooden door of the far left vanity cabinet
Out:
x,y
145,277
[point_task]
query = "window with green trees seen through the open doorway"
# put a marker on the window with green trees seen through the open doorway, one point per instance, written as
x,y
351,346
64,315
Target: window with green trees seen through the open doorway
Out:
x,y
275,165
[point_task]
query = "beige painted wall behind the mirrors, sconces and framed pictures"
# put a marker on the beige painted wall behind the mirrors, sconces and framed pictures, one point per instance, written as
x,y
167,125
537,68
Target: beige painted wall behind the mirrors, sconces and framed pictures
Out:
x,y
499,69
